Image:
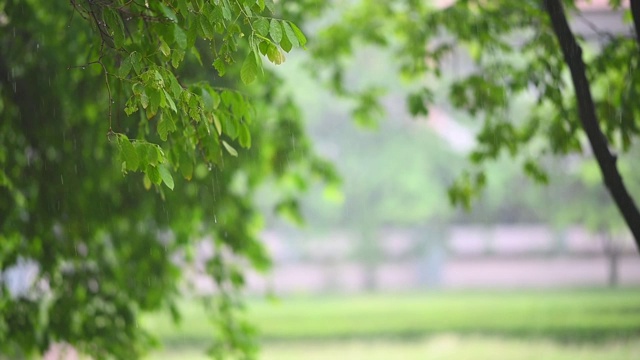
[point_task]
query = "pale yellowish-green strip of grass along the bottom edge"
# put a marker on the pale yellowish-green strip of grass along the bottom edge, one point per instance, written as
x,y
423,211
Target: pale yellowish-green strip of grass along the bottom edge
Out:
x,y
441,347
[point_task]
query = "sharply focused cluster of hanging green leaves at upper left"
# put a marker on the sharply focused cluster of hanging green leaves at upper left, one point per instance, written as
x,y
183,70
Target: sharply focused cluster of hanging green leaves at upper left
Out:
x,y
202,120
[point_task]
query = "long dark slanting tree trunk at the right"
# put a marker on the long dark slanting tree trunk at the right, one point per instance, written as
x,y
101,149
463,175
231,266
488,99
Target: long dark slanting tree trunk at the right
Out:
x,y
606,160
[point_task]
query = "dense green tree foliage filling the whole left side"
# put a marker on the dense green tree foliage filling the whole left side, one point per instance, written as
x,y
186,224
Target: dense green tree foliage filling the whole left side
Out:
x,y
92,90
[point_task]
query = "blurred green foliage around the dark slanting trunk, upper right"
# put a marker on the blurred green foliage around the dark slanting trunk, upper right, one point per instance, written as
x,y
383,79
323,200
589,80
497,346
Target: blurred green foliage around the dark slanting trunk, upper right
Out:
x,y
516,49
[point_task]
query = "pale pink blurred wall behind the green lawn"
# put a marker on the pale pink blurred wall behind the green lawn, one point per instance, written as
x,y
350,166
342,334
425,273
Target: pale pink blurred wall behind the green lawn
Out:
x,y
504,256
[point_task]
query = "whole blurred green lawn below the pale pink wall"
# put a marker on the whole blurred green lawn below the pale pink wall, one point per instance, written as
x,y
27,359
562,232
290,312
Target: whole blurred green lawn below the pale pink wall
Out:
x,y
569,324
